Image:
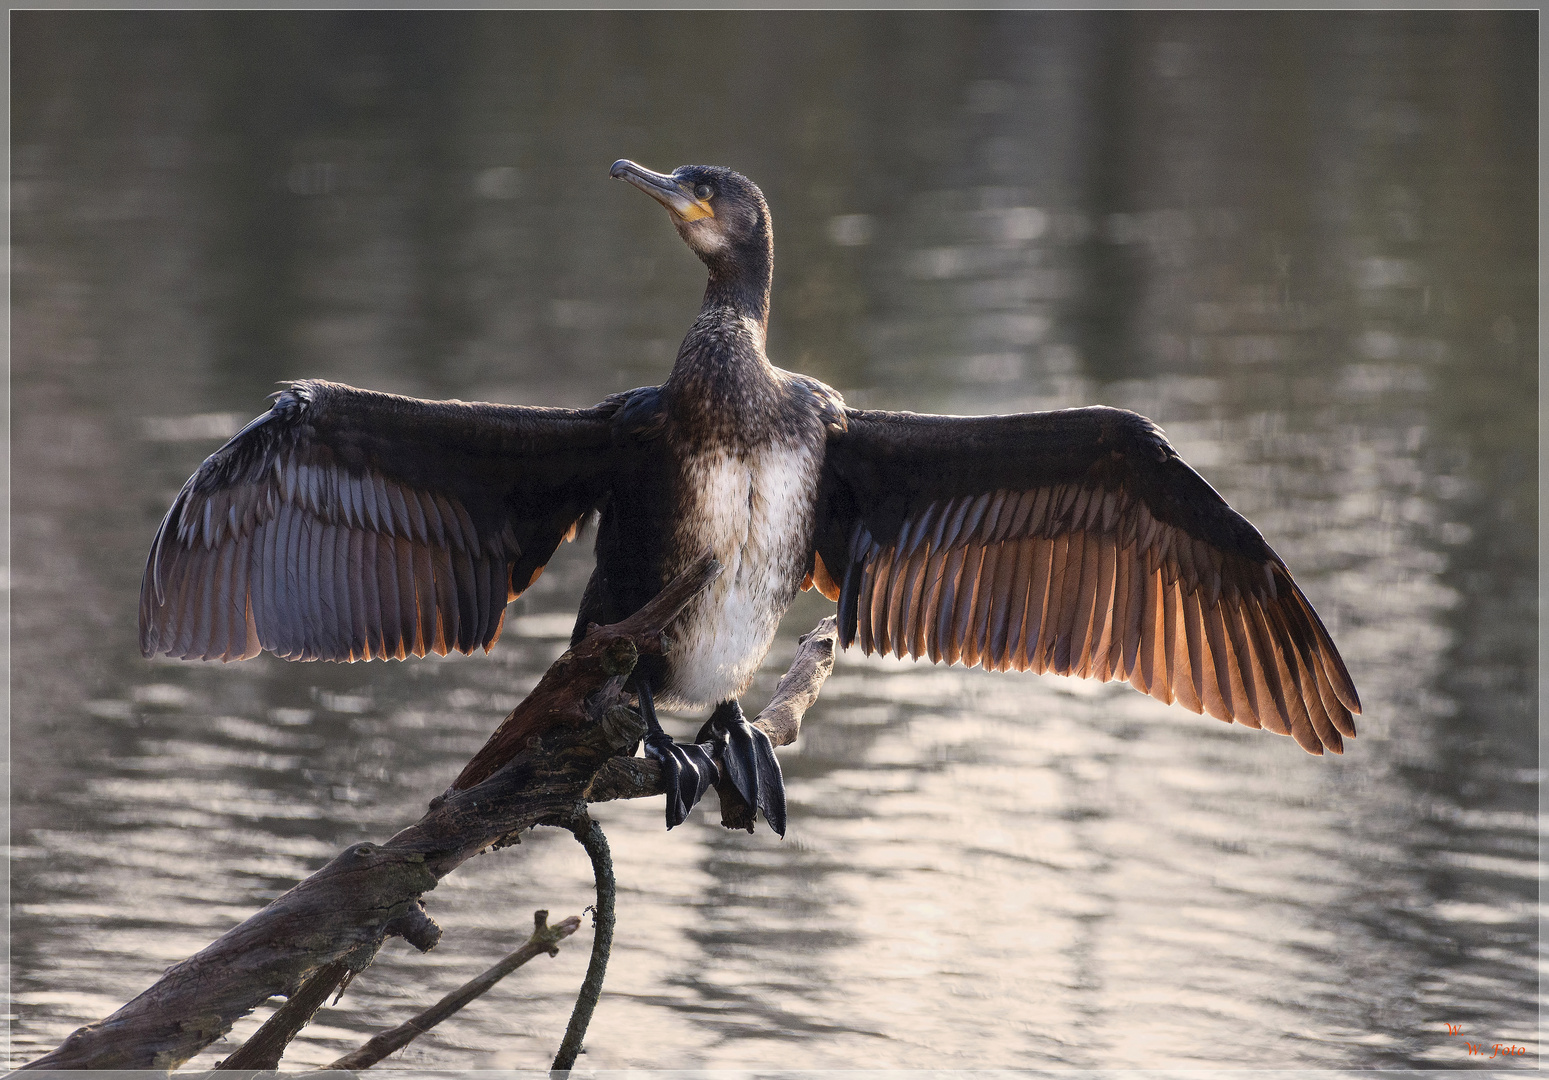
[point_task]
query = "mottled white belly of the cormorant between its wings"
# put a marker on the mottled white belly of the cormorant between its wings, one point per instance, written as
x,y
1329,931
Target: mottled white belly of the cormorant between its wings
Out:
x,y
754,511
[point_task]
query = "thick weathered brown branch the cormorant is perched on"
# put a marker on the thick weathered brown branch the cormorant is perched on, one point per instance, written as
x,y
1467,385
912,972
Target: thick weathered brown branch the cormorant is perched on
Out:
x,y
552,755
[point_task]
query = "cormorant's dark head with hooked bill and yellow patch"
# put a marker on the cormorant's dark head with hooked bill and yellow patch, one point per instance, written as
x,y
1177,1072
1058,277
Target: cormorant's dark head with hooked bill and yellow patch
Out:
x,y
721,215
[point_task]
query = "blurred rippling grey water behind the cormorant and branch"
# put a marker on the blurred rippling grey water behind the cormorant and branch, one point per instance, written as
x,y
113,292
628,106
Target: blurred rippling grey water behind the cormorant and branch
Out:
x,y
1305,244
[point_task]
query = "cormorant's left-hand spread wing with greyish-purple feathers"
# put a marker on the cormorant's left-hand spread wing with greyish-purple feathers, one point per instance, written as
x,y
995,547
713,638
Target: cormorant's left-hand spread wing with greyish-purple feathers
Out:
x,y
354,526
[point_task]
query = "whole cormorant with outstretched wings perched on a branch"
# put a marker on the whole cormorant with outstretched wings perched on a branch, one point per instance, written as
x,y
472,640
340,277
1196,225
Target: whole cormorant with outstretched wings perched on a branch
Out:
x,y
346,525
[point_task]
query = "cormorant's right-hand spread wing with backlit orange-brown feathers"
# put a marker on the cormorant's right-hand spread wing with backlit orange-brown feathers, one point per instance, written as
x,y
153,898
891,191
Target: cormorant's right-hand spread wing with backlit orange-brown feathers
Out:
x,y
1076,543
